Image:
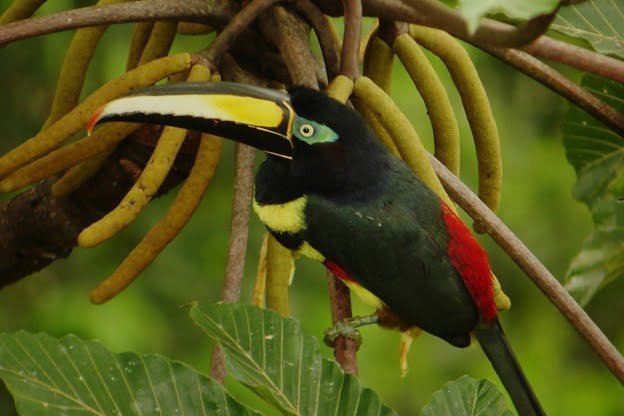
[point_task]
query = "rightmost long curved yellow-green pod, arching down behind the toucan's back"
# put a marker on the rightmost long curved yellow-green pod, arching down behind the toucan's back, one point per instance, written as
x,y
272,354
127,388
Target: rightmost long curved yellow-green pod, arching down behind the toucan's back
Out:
x,y
476,106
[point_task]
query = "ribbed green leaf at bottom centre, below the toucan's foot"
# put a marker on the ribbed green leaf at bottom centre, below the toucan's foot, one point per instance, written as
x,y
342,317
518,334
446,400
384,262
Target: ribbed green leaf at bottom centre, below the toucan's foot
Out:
x,y
269,354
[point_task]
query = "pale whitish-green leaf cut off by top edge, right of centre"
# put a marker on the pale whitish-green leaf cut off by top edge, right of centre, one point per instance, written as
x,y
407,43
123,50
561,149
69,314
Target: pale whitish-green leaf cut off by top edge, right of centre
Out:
x,y
473,10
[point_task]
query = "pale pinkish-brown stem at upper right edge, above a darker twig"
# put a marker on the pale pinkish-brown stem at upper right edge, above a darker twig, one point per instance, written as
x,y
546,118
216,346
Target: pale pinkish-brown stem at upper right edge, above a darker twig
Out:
x,y
576,57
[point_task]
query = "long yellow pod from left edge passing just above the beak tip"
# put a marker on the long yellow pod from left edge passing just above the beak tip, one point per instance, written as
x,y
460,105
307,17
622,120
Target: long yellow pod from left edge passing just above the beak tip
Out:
x,y
75,120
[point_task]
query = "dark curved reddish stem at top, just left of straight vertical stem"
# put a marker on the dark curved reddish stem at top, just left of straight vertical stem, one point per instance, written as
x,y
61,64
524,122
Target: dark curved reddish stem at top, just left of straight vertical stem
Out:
x,y
331,53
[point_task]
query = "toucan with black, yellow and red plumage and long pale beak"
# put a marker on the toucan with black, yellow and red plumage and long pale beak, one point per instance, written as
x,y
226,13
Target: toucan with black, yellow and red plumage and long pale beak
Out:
x,y
329,190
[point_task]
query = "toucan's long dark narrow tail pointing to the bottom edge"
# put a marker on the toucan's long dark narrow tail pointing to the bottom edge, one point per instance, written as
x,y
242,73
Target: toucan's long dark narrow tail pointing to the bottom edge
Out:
x,y
494,343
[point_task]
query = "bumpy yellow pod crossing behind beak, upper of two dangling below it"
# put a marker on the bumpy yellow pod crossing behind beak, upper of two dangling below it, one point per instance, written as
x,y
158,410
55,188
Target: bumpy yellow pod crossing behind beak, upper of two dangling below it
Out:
x,y
148,183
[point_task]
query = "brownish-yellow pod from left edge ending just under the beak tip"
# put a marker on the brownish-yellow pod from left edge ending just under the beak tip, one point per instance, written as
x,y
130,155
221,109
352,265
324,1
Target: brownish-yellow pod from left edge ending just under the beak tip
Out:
x,y
68,156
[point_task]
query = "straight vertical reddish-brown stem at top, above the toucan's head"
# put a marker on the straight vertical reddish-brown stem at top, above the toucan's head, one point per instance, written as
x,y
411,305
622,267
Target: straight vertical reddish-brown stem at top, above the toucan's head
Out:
x,y
349,57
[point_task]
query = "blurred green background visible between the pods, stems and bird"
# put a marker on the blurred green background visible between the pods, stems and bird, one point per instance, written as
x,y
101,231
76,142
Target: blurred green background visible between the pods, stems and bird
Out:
x,y
148,318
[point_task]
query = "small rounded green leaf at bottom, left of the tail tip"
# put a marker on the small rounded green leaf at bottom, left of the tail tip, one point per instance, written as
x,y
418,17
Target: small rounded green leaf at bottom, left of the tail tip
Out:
x,y
467,397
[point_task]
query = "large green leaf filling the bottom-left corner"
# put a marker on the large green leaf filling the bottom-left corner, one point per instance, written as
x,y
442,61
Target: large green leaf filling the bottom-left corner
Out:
x,y
68,376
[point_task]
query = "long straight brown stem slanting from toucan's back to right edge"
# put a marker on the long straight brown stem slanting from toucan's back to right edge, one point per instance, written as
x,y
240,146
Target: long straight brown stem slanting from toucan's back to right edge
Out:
x,y
527,261
